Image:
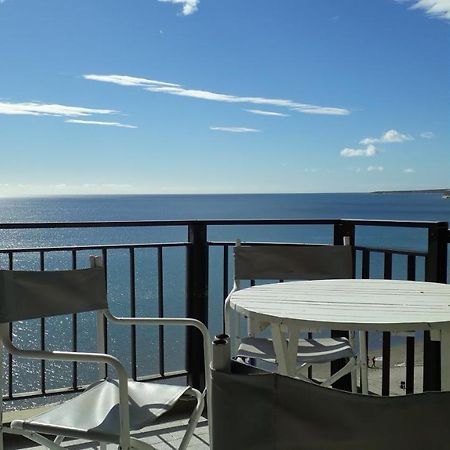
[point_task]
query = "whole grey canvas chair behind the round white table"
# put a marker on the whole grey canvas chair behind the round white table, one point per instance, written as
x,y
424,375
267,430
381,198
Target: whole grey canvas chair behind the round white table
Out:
x,y
293,262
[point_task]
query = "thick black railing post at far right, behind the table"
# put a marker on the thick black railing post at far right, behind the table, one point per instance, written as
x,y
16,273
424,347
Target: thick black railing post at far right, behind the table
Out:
x,y
436,271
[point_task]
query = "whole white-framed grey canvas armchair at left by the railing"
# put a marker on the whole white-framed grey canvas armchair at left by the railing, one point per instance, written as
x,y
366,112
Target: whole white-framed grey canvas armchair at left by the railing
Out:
x,y
110,408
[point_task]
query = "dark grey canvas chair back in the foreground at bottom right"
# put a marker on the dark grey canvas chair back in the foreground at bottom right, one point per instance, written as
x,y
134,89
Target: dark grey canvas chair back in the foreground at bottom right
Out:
x,y
277,412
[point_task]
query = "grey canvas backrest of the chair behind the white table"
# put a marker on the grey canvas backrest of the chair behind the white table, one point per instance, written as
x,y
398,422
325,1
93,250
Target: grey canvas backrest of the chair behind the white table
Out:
x,y
292,262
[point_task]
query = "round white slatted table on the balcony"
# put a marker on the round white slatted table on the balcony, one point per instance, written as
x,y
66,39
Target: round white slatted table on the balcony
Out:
x,y
373,305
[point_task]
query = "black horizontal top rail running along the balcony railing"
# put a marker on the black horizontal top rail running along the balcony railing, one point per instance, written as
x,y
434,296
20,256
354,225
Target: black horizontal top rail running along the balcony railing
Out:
x,y
153,223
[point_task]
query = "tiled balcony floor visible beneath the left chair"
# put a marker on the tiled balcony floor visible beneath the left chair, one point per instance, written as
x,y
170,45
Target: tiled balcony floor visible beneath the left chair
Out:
x,y
164,436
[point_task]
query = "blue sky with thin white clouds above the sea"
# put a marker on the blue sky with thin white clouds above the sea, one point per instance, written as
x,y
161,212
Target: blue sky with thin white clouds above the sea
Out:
x,y
223,96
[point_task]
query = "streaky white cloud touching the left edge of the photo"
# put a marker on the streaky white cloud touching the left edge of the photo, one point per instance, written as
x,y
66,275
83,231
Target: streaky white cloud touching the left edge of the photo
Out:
x,y
42,109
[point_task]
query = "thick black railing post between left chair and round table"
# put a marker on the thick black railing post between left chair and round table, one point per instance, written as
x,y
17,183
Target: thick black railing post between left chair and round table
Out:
x,y
196,300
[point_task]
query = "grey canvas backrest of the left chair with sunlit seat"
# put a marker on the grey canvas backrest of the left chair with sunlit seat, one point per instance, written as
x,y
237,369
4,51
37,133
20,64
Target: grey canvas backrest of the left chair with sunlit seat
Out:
x,y
29,295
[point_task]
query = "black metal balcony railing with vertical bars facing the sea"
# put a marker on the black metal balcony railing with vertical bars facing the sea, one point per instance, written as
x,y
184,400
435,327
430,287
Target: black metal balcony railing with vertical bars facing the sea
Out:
x,y
195,274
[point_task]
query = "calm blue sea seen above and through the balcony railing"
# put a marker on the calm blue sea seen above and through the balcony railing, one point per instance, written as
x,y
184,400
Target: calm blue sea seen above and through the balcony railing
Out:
x,y
184,207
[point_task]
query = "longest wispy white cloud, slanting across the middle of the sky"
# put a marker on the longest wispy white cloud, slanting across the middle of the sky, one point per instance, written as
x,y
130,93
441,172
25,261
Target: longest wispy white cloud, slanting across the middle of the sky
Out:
x,y
176,89
